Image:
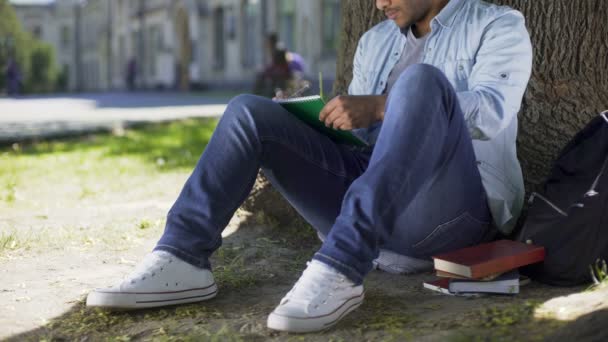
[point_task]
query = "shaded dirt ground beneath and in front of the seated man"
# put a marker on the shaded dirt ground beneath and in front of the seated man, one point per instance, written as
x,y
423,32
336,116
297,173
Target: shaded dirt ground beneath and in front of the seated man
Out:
x,y
258,264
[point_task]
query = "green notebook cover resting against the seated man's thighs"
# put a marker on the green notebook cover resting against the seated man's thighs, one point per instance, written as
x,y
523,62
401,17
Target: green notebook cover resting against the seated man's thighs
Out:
x,y
307,109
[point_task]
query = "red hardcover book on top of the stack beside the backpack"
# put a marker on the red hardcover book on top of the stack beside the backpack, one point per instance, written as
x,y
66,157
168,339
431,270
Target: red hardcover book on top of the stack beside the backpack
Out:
x,y
489,258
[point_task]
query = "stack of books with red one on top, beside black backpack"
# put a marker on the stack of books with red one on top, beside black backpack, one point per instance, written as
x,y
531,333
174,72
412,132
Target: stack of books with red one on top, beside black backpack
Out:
x,y
486,268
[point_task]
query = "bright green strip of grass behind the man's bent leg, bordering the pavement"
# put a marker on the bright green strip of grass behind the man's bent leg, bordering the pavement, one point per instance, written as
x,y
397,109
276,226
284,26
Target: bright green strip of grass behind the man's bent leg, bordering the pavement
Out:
x,y
164,146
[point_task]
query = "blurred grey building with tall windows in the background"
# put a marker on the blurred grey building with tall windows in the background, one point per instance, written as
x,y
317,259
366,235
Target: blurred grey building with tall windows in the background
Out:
x,y
180,44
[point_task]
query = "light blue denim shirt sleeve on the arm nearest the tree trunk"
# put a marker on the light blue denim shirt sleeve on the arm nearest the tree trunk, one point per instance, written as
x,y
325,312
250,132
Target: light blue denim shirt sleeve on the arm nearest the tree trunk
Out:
x,y
499,77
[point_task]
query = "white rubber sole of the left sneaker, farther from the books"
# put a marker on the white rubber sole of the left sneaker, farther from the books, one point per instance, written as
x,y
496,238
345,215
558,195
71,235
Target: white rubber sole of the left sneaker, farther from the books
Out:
x,y
142,300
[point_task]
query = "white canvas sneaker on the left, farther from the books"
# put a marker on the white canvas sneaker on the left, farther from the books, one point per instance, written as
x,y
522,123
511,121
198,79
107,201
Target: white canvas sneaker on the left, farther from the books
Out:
x,y
161,279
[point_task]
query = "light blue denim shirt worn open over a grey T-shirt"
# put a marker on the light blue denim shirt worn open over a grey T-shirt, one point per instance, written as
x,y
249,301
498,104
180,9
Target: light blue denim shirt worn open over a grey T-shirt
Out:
x,y
485,52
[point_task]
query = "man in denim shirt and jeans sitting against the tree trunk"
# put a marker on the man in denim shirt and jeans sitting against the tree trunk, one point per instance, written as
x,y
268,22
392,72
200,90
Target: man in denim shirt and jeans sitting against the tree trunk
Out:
x,y
436,90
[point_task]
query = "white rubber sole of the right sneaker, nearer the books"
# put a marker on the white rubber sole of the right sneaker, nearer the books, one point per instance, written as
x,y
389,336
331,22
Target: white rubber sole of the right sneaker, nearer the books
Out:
x,y
313,324
